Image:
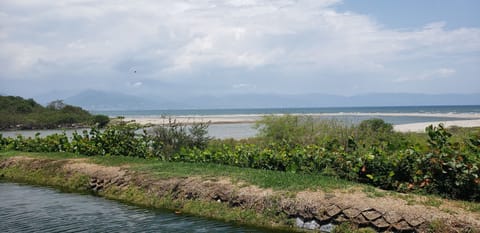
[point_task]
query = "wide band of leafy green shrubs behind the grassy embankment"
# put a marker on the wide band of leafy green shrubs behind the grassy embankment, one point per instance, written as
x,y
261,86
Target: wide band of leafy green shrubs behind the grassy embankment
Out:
x,y
439,162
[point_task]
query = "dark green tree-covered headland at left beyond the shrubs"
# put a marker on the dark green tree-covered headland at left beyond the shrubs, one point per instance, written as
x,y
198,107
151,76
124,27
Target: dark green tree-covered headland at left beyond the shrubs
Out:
x,y
19,113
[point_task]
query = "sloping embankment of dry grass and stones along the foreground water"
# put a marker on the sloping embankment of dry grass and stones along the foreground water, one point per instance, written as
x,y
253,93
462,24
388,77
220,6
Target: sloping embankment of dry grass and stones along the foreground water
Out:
x,y
223,199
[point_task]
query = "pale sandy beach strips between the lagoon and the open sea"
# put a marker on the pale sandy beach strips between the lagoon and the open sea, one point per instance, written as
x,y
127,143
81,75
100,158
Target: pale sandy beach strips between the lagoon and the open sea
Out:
x,y
469,119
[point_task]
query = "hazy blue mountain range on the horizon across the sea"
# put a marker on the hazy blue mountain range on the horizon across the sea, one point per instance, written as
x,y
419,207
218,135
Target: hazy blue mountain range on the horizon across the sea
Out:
x,y
98,100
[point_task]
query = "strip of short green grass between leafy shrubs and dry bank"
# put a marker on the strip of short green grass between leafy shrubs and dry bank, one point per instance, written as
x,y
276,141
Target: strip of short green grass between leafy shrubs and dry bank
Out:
x,y
161,169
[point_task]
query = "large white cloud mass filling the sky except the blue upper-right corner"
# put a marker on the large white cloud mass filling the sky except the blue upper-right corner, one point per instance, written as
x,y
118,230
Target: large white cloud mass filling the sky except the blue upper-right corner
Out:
x,y
175,40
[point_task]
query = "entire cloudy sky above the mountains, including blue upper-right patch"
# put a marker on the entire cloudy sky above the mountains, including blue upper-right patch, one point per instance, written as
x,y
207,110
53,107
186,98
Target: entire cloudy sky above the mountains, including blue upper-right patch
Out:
x,y
196,47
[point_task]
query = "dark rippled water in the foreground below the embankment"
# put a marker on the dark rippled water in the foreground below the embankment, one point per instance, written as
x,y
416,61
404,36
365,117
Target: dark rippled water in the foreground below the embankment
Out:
x,y
36,209
